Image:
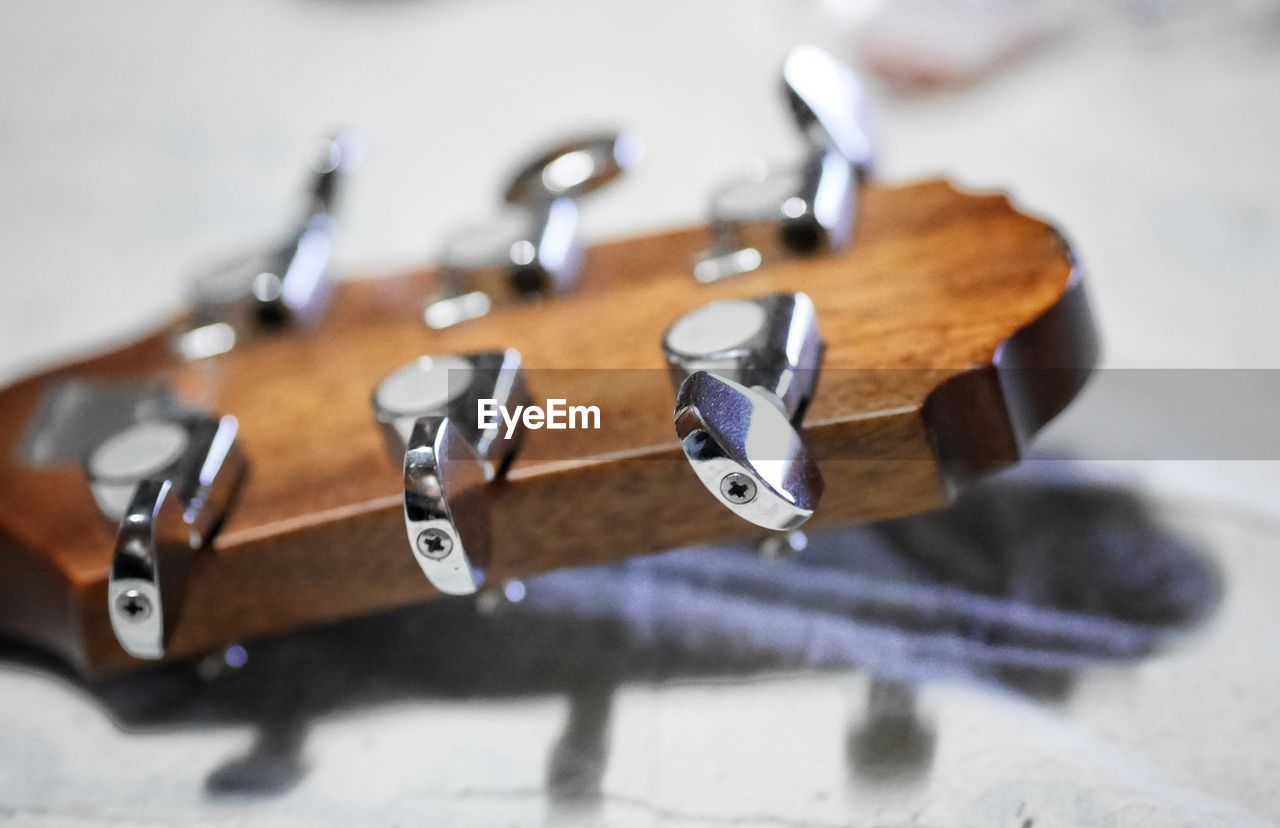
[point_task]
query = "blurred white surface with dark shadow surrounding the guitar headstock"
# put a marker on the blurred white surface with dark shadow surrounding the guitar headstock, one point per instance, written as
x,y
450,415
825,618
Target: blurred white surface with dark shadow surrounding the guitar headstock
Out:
x,y
141,140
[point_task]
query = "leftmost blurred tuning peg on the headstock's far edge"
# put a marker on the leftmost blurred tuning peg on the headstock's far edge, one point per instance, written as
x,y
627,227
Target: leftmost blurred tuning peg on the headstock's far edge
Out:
x,y
282,286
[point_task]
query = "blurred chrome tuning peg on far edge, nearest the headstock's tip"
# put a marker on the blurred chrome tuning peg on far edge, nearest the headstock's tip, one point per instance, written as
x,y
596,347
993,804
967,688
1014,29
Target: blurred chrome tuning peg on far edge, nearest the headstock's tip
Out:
x,y
810,207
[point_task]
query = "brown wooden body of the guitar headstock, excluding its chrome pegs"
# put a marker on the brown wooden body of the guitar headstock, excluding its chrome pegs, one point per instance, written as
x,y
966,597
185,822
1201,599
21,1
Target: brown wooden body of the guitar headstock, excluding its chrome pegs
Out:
x,y
938,290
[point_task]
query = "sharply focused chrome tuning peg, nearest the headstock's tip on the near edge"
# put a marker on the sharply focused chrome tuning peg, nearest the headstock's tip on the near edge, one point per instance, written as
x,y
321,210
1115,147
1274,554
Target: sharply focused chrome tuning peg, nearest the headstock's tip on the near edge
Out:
x,y
744,373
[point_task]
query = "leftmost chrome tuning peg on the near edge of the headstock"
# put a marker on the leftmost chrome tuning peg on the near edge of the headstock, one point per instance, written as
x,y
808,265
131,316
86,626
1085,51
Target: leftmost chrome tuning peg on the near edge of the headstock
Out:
x,y
168,484
